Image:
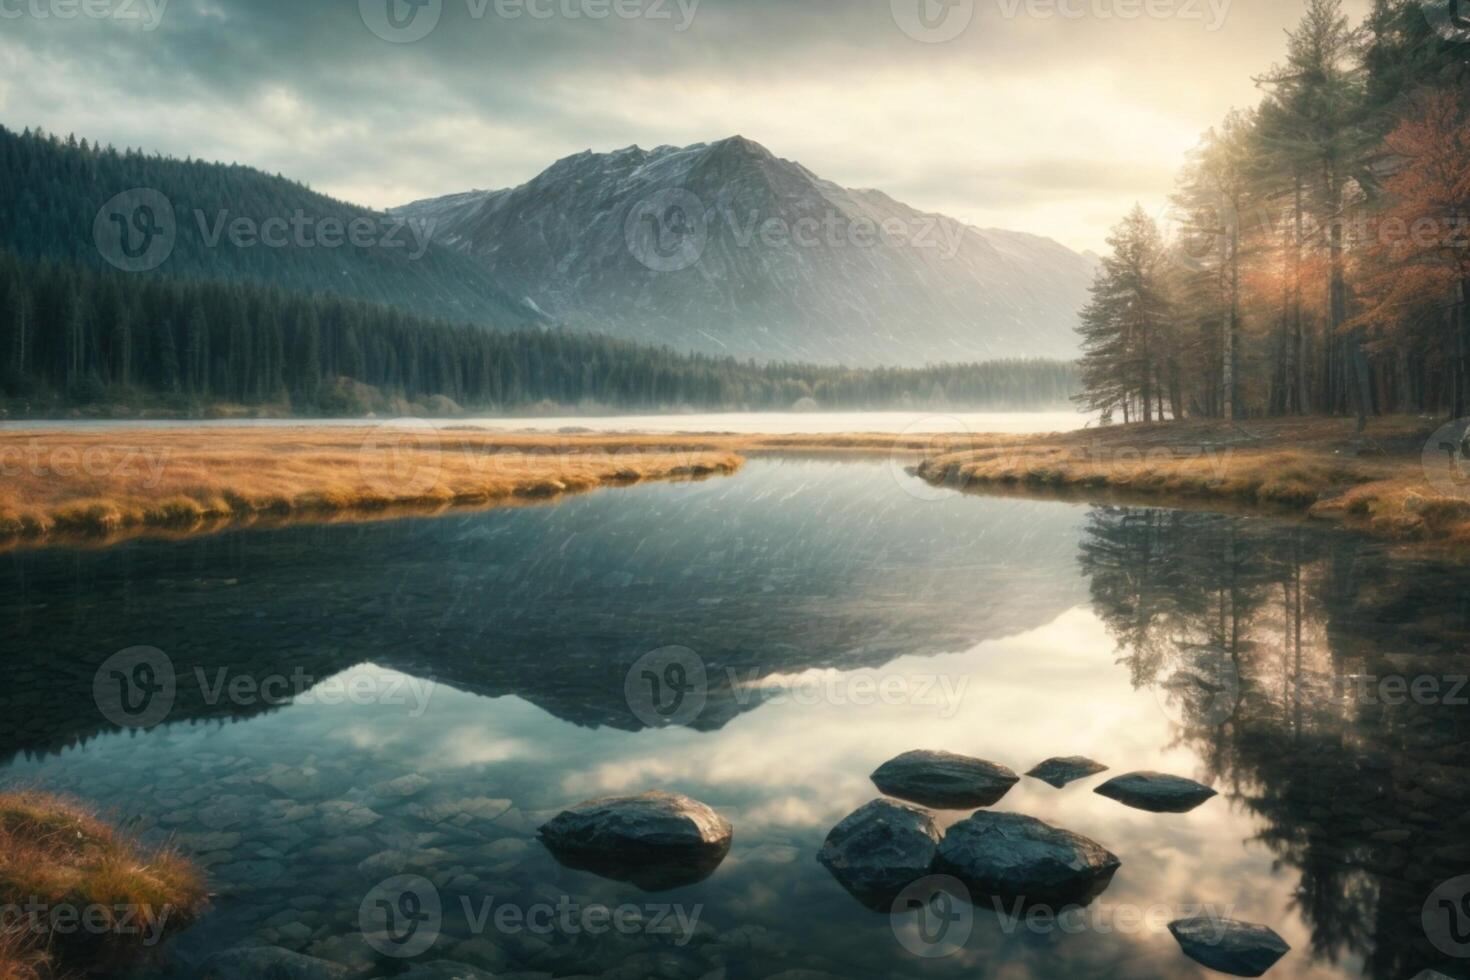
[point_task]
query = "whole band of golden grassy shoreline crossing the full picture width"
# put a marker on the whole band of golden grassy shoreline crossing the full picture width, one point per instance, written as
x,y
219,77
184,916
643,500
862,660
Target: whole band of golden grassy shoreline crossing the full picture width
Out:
x,y
99,487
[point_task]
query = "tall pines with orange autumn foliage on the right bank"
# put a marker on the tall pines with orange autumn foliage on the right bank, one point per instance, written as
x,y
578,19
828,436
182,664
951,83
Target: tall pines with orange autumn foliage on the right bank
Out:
x,y
1316,256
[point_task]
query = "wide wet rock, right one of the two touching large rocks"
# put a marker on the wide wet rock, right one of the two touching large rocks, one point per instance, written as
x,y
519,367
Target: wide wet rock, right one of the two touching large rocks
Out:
x,y
1018,857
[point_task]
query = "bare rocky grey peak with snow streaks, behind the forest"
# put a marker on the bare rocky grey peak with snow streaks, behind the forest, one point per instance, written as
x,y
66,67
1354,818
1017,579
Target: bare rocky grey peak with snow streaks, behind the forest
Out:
x,y
728,249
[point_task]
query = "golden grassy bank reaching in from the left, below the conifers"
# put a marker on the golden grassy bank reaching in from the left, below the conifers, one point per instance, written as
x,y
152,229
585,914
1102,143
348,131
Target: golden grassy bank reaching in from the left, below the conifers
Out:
x,y
117,483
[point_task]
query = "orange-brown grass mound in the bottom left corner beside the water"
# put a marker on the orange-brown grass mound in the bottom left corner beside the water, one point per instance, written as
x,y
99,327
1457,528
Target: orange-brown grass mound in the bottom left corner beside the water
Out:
x,y
80,897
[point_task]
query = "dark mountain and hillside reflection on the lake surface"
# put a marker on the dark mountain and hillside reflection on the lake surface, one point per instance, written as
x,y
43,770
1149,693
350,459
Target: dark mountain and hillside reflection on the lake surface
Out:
x,y
552,606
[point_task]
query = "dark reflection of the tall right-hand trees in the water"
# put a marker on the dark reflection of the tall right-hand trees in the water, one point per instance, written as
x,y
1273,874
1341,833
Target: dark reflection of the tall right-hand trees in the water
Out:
x,y
1319,677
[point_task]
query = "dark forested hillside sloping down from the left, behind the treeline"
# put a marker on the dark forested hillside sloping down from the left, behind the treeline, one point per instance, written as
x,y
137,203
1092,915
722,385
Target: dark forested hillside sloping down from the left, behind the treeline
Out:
x,y
232,223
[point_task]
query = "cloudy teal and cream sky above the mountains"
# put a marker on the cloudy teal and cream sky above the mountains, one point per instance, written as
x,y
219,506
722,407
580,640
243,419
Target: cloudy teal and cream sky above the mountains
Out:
x,y
1050,117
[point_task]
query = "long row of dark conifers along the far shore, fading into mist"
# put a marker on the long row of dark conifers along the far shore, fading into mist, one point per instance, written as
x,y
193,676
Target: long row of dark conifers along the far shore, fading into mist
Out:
x,y
76,336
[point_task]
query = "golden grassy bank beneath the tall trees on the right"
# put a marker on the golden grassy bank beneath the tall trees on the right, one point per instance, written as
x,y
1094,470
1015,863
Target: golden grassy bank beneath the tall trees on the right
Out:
x,y
1396,481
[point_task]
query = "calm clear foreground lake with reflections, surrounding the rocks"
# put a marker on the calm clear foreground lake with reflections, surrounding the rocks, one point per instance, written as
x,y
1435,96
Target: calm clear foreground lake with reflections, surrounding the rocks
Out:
x,y
339,710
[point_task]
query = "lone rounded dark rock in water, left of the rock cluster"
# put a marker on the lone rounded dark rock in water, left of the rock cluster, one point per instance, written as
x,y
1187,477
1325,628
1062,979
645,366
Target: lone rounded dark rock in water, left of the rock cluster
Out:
x,y
656,841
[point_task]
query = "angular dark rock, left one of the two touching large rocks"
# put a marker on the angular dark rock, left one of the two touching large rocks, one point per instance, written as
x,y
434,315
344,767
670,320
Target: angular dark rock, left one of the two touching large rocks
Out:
x,y
880,850
